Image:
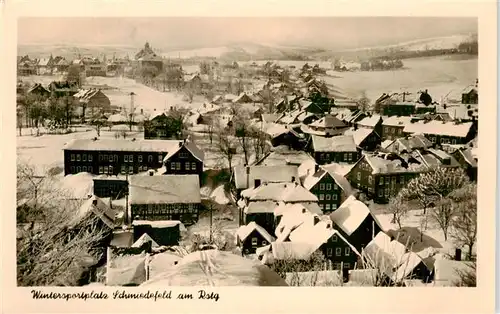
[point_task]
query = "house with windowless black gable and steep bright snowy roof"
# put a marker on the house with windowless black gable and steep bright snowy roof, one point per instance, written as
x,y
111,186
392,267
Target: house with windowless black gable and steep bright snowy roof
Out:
x,y
356,222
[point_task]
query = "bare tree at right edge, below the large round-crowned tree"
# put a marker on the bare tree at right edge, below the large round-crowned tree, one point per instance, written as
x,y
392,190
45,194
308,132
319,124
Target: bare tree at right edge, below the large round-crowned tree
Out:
x,y
464,224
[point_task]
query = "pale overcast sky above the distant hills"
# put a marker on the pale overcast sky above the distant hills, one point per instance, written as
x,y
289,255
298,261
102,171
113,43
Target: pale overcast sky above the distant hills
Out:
x,y
165,33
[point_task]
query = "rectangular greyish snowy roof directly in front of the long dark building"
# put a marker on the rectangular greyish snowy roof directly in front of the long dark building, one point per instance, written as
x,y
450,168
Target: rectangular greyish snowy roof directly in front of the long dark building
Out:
x,y
165,189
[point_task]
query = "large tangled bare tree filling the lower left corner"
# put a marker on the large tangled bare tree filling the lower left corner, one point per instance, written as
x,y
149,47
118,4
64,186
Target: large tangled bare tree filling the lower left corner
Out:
x,y
53,249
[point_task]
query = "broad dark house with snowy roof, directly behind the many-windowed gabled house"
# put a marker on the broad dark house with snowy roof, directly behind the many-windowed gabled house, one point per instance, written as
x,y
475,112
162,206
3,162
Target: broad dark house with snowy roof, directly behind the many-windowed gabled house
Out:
x,y
341,148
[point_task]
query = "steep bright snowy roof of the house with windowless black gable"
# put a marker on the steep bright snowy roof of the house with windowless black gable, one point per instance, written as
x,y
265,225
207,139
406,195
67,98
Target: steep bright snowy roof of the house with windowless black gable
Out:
x,y
350,215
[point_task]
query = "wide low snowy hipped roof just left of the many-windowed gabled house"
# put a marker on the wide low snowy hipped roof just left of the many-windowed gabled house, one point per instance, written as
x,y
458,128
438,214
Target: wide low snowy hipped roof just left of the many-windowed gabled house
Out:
x,y
286,192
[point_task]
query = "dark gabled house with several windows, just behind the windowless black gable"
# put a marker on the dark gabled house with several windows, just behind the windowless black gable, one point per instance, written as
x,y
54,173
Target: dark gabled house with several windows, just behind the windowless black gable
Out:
x,y
331,188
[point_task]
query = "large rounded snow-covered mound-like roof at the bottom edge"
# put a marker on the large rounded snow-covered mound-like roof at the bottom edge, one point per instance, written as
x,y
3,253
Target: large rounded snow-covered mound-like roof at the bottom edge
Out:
x,y
216,268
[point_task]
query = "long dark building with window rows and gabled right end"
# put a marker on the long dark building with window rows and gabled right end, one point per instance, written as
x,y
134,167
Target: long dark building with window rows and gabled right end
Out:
x,y
116,156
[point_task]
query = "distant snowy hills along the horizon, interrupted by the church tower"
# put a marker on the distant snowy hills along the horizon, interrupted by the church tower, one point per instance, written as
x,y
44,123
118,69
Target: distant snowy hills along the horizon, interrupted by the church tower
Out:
x,y
266,51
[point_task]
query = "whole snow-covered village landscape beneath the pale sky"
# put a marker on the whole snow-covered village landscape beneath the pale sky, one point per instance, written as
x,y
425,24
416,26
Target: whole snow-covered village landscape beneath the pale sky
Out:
x,y
256,167
